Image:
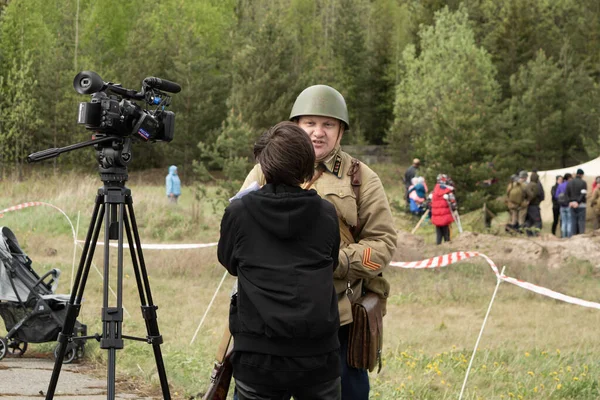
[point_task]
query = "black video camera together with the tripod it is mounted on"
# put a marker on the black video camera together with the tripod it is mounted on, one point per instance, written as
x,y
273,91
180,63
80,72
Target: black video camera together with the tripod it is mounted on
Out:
x,y
117,121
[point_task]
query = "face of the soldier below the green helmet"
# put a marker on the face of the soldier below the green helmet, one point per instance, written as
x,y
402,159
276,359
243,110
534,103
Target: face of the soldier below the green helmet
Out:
x,y
324,133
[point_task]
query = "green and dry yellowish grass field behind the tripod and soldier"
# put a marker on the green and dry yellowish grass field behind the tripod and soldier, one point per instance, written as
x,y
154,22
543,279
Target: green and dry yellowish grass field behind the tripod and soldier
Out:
x,y
532,348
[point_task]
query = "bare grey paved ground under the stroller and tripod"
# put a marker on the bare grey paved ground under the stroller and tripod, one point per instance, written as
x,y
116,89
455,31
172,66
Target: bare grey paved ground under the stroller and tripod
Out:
x,y
28,378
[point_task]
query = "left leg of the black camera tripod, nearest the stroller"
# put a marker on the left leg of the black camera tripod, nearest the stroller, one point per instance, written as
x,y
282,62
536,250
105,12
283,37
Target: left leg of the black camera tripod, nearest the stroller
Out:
x,y
74,304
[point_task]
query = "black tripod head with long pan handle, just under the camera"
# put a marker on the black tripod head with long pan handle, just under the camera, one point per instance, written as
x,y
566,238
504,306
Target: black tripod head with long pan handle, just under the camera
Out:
x,y
112,152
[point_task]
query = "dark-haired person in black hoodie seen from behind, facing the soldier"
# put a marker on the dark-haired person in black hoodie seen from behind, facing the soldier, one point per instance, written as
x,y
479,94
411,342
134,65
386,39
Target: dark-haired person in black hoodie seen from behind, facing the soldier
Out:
x,y
282,242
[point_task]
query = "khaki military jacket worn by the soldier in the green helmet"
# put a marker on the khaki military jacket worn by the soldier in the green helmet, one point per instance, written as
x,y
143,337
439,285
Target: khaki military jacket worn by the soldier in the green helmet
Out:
x,y
366,252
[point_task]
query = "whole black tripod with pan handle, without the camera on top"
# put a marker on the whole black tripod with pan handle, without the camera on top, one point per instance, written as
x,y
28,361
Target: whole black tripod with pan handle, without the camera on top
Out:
x,y
114,205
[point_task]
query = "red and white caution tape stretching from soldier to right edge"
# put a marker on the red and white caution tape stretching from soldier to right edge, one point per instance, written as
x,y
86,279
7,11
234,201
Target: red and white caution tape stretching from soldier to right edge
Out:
x,y
448,259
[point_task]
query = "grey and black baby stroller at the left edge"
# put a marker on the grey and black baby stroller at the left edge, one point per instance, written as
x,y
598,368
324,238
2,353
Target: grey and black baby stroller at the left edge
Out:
x,y
32,313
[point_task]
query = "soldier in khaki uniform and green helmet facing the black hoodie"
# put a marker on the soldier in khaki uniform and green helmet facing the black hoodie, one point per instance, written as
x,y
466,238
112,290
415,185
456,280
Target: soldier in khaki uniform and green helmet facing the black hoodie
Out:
x,y
368,236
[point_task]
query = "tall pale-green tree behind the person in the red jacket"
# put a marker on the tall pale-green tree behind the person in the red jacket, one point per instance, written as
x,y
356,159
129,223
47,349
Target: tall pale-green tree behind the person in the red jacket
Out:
x,y
445,105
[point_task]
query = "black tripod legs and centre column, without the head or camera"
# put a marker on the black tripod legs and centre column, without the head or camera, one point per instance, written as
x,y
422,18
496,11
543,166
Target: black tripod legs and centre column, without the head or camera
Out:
x,y
114,205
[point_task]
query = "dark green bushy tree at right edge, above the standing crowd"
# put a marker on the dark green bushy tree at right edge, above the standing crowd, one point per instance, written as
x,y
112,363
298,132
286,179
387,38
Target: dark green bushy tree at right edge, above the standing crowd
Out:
x,y
551,111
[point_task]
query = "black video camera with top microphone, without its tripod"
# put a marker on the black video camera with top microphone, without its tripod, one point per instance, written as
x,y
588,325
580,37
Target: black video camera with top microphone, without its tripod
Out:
x,y
112,112
